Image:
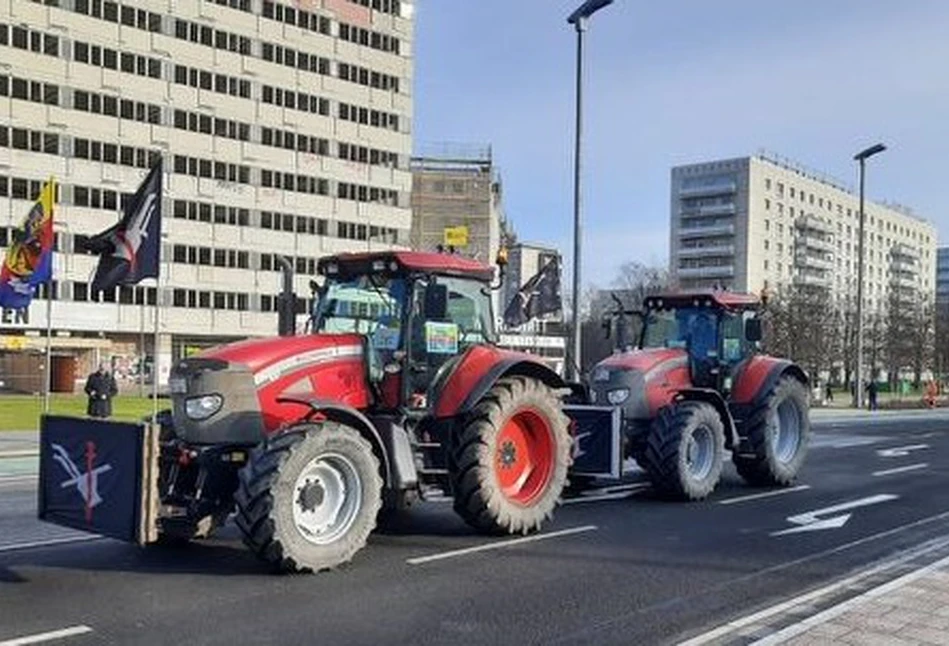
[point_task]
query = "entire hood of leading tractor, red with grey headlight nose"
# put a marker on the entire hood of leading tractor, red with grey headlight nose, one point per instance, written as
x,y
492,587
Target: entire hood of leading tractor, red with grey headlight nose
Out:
x,y
232,393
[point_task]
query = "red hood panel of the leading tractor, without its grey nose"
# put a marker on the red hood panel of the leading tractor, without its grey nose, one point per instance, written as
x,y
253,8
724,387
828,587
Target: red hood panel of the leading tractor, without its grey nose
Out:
x,y
319,366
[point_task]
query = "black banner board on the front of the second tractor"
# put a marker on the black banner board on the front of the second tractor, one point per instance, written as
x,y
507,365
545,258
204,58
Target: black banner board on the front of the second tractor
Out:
x,y
596,440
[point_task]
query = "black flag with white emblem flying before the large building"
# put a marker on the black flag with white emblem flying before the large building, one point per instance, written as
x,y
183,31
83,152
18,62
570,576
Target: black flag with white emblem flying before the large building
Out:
x,y
129,250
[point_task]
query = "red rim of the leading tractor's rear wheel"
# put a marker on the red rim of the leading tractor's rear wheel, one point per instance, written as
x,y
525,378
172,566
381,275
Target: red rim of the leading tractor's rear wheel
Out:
x,y
524,456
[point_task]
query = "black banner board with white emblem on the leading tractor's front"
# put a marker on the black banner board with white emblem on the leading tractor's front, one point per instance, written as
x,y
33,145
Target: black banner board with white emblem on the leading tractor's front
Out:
x,y
94,476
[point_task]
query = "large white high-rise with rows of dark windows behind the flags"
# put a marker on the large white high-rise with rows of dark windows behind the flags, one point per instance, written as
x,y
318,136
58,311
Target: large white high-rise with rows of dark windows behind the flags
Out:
x,y
285,128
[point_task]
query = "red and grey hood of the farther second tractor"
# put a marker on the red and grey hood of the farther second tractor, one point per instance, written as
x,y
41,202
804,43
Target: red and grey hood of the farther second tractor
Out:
x,y
640,381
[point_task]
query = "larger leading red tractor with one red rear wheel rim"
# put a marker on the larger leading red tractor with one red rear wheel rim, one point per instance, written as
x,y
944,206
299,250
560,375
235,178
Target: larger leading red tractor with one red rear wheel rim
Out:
x,y
396,393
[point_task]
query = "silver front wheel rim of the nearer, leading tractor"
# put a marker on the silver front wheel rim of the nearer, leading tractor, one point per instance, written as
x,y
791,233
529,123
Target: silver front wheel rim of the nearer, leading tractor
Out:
x,y
327,497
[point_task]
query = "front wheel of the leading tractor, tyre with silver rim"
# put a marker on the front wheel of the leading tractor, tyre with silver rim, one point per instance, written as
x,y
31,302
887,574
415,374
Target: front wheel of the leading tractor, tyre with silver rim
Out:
x,y
270,493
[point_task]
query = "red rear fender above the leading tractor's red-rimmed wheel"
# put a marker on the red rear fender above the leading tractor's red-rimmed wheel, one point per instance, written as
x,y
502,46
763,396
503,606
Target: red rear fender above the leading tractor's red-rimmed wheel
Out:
x,y
477,370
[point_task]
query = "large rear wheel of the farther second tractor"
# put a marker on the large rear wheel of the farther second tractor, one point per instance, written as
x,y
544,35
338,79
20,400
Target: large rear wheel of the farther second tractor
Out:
x,y
773,457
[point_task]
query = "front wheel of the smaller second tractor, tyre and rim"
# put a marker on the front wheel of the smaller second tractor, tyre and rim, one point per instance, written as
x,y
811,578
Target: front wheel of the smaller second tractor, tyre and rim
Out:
x,y
673,469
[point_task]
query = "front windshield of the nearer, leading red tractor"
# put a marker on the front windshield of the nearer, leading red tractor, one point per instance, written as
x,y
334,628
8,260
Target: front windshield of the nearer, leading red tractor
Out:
x,y
369,305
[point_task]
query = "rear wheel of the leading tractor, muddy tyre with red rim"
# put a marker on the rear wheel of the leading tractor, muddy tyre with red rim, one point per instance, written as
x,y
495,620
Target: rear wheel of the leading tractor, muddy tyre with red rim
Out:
x,y
490,449
